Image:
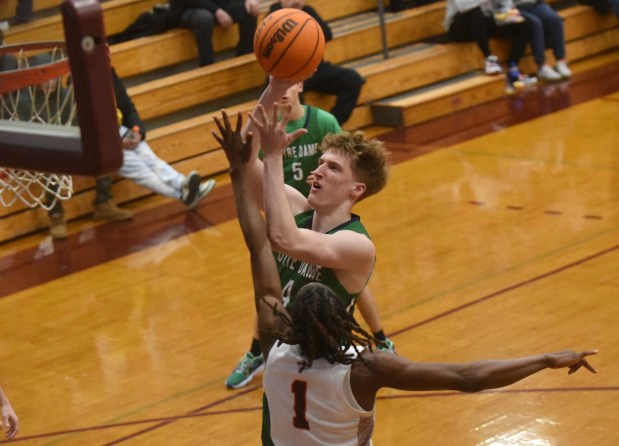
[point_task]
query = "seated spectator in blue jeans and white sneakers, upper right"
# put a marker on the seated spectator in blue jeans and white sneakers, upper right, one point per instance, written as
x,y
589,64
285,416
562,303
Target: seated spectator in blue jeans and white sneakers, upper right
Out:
x,y
546,27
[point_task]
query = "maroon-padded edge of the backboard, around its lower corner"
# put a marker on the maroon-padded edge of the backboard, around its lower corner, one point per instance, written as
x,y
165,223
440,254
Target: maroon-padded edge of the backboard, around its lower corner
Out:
x,y
96,149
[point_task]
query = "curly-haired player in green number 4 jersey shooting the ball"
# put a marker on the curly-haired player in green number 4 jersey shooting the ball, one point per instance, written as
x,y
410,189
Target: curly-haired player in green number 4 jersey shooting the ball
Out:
x,y
331,246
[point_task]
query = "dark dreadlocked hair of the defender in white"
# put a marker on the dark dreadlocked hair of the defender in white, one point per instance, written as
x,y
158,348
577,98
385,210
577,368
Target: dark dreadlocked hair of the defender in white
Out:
x,y
322,327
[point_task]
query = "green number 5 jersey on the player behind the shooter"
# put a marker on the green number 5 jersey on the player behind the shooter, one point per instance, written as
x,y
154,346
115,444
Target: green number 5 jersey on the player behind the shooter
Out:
x,y
301,157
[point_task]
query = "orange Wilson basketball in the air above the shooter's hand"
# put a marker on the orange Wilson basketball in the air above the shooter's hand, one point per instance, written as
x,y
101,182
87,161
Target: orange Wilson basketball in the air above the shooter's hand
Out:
x,y
289,44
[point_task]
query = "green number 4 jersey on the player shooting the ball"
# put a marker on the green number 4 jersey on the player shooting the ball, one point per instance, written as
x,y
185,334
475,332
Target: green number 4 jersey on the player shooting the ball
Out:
x,y
294,274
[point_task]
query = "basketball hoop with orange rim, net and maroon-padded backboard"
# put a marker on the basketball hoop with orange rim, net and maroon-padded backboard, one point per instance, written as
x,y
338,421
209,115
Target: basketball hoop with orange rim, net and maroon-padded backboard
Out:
x,y
45,89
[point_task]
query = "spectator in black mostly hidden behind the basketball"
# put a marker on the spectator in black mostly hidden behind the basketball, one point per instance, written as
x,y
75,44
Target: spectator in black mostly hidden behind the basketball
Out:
x,y
344,83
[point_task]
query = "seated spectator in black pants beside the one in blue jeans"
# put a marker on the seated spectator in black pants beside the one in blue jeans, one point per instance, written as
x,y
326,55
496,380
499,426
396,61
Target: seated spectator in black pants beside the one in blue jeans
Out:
x,y
478,20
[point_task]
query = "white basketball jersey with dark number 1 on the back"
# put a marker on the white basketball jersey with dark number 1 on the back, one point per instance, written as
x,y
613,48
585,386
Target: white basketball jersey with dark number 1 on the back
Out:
x,y
315,407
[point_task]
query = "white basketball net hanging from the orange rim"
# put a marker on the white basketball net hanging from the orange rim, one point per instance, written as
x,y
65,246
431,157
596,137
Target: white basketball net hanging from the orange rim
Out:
x,y
47,99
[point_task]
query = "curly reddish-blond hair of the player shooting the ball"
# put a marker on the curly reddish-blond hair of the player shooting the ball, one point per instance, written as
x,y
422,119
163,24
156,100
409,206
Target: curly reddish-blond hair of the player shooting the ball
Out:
x,y
368,158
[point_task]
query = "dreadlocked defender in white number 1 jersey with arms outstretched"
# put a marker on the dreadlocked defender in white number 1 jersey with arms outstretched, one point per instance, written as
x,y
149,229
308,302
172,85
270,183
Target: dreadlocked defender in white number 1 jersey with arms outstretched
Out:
x,y
322,375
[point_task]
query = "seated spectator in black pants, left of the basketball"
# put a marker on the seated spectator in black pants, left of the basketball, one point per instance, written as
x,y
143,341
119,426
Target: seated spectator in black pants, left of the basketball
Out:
x,y
201,16
